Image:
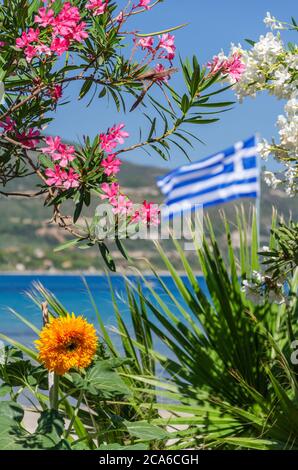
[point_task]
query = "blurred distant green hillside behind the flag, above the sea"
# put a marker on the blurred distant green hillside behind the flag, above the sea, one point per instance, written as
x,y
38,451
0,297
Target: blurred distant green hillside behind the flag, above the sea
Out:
x,y
27,240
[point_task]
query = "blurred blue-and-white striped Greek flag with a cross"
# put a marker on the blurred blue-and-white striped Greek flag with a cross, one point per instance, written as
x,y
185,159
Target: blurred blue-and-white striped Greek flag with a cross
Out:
x,y
222,177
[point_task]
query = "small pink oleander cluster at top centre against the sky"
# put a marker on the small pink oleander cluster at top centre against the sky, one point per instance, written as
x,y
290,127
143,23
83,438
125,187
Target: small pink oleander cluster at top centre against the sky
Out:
x,y
165,48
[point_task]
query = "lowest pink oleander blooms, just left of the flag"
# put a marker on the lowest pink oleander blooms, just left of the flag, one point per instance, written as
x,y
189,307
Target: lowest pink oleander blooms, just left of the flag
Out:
x,y
147,213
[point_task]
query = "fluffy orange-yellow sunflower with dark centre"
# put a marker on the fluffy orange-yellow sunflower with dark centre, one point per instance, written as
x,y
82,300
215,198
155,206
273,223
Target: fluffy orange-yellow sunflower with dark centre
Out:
x,y
66,343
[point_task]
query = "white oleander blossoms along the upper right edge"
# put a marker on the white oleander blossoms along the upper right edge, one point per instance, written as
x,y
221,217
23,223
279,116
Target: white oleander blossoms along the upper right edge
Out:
x,y
269,66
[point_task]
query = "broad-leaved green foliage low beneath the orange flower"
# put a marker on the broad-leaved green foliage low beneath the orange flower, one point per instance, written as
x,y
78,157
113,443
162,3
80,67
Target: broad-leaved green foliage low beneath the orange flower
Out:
x,y
104,419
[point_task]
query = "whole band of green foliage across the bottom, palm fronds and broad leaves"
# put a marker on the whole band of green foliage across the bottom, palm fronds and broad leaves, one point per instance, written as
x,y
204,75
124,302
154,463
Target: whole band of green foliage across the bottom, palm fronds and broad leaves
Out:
x,y
230,377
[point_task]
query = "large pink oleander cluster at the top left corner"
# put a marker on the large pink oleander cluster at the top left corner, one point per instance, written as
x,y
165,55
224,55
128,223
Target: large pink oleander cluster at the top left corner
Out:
x,y
64,29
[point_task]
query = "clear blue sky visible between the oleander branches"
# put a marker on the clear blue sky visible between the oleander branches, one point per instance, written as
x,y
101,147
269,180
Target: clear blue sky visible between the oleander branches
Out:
x,y
213,25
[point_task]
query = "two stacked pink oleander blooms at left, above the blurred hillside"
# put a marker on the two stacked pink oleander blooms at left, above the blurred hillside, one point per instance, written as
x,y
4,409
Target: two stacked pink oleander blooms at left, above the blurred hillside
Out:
x,y
64,154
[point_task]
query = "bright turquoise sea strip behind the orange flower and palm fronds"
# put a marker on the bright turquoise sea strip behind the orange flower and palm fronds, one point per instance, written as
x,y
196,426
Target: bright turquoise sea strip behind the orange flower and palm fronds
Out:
x,y
71,292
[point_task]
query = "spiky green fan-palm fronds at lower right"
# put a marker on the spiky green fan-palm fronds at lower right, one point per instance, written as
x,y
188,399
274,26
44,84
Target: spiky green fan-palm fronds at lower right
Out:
x,y
229,361
